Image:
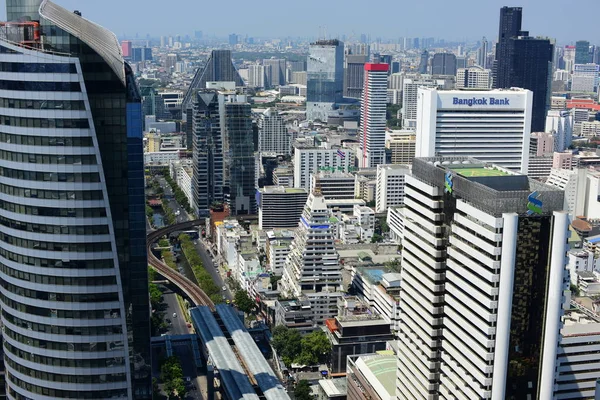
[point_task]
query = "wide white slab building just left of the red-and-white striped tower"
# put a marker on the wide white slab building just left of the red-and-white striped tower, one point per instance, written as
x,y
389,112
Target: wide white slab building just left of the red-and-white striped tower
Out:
x,y
309,160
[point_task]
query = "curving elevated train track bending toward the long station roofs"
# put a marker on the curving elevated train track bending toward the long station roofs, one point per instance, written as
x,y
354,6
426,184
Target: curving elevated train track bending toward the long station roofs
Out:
x,y
194,294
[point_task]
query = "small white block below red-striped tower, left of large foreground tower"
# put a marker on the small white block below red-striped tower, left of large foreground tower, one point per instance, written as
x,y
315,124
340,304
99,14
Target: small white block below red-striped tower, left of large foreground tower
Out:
x,y
390,186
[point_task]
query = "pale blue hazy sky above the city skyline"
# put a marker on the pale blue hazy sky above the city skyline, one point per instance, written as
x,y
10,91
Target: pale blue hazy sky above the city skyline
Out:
x,y
565,20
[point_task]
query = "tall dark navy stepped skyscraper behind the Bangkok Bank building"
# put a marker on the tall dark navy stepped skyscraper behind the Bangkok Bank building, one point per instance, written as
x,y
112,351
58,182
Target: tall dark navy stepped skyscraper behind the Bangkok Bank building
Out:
x,y
524,62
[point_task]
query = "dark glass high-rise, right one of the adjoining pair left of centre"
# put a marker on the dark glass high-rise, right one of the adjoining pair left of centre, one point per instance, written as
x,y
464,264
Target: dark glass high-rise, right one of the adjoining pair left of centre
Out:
x,y
239,164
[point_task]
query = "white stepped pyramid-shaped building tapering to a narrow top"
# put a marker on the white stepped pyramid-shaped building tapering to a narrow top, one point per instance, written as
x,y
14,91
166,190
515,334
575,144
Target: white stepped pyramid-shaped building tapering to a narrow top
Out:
x,y
312,268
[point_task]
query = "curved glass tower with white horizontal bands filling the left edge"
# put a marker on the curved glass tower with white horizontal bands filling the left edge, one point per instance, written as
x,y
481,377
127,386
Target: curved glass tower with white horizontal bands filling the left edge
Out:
x,y
75,308
